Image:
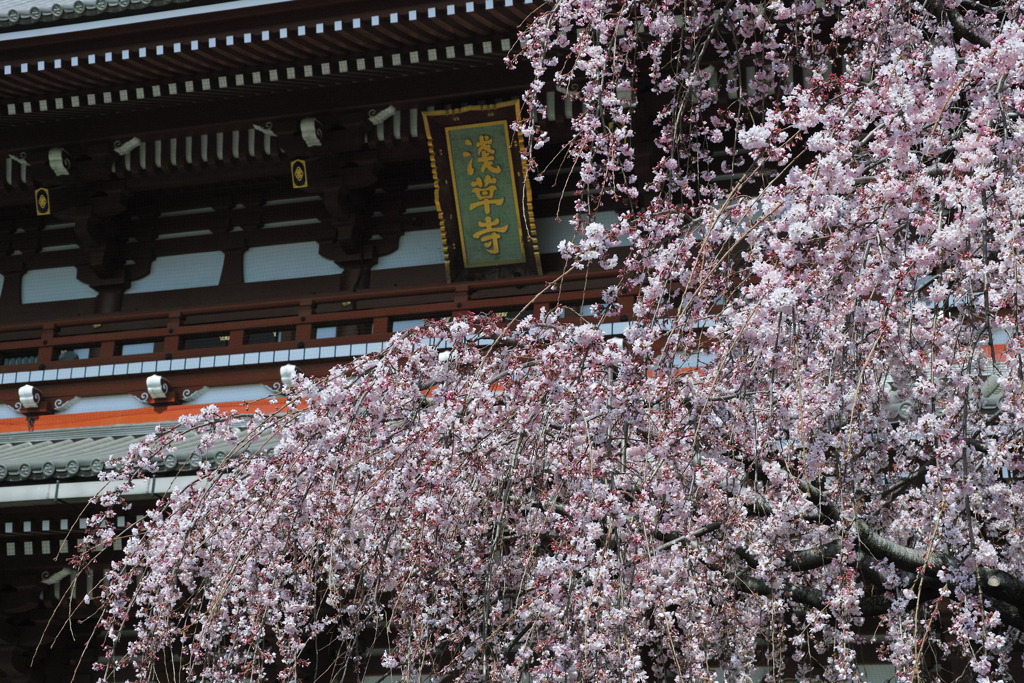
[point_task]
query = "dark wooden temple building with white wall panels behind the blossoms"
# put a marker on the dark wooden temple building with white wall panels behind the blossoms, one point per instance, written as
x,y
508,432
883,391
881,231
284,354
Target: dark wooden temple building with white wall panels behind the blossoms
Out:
x,y
201,198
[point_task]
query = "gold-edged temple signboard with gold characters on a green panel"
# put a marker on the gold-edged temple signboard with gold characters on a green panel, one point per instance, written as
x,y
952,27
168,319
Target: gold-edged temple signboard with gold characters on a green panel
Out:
x,y
484,201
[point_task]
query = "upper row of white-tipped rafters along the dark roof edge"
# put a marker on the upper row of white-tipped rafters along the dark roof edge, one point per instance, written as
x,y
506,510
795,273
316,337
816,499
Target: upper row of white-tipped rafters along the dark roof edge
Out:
x,y
233,42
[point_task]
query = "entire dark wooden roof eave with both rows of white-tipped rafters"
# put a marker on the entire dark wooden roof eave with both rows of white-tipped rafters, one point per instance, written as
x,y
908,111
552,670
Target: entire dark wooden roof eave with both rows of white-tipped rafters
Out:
x,y
177,77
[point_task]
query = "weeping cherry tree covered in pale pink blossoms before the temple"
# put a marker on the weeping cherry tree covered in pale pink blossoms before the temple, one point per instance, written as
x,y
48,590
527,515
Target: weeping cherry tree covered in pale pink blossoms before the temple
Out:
x,y
809,434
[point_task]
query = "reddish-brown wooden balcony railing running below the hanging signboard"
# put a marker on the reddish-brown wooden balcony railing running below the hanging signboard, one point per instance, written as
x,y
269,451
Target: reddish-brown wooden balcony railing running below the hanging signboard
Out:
x,y
264,326
